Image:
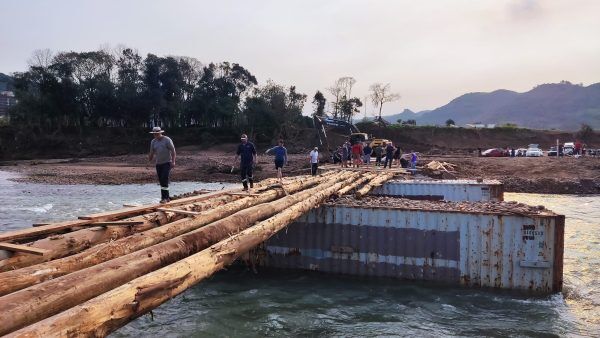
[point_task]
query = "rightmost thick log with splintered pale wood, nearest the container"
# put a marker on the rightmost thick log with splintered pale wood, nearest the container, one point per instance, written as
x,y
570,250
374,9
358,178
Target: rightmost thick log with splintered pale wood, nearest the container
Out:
x,y
111,310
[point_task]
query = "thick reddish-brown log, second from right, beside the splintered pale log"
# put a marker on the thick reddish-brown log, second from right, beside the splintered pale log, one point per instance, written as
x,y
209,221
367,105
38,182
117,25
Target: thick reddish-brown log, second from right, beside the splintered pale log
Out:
x,y
37,302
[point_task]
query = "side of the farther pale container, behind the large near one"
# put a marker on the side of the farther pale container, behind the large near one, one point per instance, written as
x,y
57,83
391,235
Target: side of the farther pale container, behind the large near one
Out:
x,y
449,190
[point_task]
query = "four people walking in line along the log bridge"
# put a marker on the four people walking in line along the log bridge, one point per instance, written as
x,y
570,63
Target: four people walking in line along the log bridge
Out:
x,y
162,152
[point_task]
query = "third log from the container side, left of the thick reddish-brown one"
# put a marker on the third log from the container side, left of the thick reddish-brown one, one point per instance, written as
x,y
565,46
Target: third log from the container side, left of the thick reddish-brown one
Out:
x,y
11,281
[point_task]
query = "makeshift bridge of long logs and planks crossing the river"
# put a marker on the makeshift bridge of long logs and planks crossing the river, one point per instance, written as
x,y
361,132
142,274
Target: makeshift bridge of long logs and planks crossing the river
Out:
x,y
94,289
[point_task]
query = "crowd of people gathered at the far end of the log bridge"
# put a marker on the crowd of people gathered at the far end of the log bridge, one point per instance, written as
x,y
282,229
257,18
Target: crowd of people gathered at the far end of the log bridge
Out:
x,y
360,153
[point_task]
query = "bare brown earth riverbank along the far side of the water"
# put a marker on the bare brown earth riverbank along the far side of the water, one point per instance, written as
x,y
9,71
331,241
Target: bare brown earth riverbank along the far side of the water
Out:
x,y
534,175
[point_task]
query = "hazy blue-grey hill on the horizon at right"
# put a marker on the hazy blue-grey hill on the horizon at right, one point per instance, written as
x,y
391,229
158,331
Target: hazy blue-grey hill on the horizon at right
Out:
x,y
563,106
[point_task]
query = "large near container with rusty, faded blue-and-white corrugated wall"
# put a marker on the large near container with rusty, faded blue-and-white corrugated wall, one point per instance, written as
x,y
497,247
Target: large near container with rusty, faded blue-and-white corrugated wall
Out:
x,y
481,250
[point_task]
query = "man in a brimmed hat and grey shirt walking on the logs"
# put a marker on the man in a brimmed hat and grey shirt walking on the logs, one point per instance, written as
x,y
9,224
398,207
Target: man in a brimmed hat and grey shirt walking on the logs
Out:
x,y
163,150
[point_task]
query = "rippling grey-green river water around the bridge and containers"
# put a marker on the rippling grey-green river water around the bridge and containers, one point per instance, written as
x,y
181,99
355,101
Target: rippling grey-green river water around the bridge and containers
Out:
x,y
239,303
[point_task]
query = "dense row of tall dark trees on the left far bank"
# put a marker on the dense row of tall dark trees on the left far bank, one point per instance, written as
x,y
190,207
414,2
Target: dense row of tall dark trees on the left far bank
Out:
x,y
78,90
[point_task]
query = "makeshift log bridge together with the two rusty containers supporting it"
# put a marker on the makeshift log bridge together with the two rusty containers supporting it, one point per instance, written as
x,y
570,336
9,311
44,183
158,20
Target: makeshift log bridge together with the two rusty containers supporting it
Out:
x,y
93,275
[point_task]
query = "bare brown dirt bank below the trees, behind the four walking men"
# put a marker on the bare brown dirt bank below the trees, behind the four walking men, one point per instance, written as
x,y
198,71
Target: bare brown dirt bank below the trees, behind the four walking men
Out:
x,y
192,165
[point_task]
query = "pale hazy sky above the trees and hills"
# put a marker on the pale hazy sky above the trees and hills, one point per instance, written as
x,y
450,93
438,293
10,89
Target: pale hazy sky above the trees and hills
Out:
x,y
429,51
